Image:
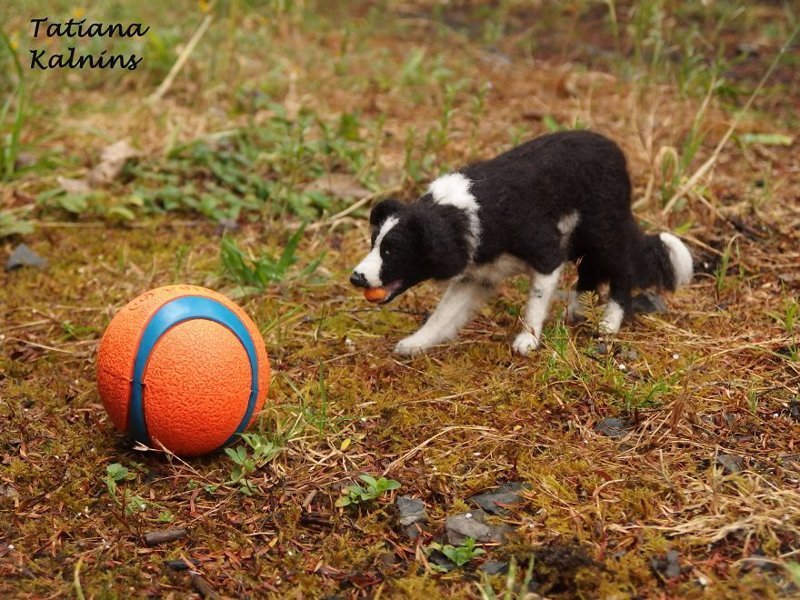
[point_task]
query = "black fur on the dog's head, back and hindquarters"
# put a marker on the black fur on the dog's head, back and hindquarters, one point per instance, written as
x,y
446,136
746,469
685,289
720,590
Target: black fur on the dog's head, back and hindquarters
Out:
x,y
522,195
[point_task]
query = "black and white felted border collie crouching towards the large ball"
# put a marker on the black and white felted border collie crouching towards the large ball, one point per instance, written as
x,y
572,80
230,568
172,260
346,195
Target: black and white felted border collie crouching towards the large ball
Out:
x,y
557,198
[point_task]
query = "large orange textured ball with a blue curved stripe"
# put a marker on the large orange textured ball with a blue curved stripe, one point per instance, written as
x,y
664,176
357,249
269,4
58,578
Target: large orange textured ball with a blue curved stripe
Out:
x,y
183,367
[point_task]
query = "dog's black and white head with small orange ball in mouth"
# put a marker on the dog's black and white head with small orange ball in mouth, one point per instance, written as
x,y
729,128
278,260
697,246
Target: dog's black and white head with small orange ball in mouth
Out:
x,y
409,245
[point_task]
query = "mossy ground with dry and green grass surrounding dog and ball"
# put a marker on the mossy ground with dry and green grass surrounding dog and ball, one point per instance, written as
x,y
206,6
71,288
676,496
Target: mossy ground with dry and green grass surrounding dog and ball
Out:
x,y
293,113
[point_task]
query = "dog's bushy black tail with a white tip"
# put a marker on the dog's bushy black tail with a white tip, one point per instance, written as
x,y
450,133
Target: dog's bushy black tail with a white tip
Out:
x,y
662,261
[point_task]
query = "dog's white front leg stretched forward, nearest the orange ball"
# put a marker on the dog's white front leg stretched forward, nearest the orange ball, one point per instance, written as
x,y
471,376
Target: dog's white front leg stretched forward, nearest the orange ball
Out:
x,y
456,307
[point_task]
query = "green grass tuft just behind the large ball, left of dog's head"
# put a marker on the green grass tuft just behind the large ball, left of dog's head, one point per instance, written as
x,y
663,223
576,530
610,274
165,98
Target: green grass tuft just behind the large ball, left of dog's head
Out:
x,y
255,274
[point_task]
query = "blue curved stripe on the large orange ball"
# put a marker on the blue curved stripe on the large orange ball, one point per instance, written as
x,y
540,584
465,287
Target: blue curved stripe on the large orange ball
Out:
x,y
168,316
